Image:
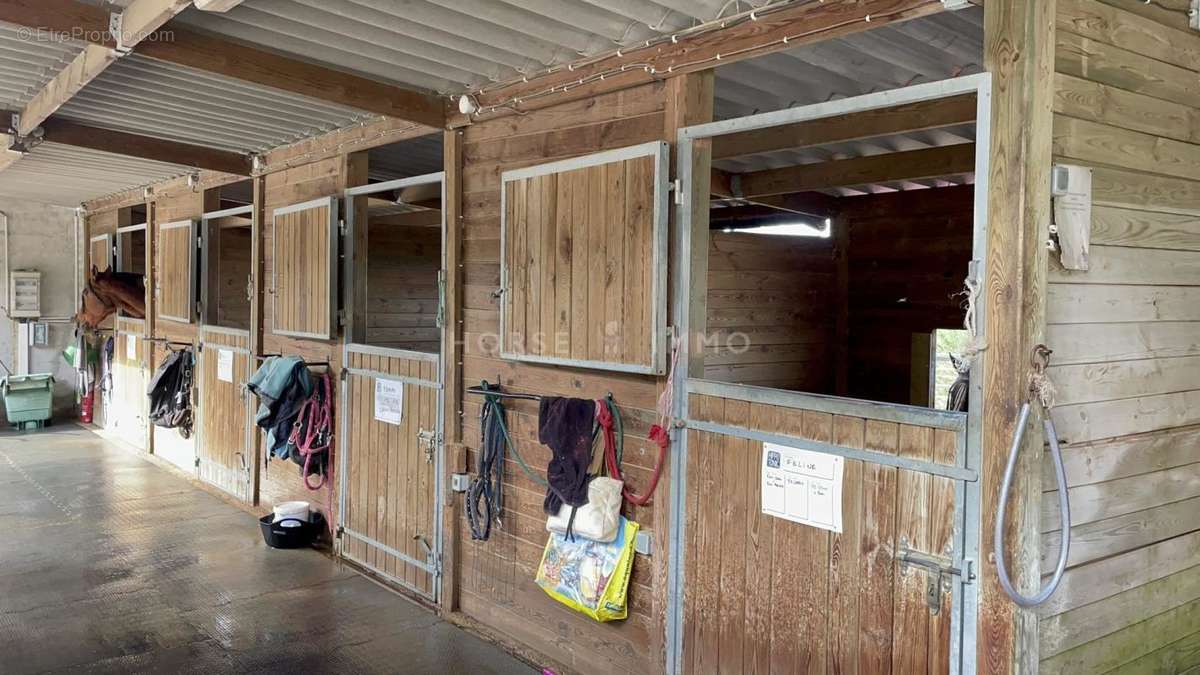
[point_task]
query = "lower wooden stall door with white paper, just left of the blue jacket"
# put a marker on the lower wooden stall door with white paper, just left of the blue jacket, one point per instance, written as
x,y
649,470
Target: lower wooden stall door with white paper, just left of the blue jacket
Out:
x,y
224,413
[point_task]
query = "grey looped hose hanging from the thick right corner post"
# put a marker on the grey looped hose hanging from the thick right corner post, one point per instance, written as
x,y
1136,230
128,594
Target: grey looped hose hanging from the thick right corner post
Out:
x,y
1043,392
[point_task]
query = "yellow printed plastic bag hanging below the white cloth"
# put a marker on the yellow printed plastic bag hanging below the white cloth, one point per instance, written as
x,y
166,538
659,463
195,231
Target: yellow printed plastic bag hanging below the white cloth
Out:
x,y
590,577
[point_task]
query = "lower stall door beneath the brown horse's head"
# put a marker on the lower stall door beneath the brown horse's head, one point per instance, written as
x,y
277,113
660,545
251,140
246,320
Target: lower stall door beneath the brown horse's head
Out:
x,y
130,380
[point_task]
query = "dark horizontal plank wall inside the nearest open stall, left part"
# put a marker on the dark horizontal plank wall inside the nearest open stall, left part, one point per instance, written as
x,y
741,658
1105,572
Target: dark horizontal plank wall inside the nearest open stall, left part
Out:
x,y
771,312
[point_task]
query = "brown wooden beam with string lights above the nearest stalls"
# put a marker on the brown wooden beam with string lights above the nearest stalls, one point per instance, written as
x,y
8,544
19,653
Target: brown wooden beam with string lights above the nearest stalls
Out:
x,y
800,25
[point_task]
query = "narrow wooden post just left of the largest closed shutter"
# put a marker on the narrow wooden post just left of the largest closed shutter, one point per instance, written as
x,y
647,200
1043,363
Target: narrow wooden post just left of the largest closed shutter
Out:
x,y
454,451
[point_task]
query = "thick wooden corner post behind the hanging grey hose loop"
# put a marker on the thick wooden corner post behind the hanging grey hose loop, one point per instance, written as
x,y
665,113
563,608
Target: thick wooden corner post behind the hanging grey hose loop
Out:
x,y
1019,47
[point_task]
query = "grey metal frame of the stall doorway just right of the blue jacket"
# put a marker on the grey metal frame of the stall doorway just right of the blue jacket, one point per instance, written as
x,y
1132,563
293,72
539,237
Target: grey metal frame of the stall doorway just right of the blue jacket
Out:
x,y
433,565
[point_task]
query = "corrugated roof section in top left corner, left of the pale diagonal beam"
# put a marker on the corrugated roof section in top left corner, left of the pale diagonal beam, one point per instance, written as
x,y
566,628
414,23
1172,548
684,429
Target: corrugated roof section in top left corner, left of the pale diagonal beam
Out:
x,y
28,61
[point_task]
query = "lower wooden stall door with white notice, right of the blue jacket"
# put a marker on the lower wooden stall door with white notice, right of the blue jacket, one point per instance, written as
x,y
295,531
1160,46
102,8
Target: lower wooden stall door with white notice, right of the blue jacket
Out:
x,y
391,458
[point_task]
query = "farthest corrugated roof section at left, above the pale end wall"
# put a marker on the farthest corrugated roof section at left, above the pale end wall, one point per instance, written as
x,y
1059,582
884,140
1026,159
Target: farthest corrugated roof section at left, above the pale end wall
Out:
x,y
68,176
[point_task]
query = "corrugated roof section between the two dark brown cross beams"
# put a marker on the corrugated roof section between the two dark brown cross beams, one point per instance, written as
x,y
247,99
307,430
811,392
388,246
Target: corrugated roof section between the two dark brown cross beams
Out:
x,y
157,99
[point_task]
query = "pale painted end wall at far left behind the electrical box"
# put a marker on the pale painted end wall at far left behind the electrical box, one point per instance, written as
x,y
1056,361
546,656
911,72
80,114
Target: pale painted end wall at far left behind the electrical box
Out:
x,y
45,238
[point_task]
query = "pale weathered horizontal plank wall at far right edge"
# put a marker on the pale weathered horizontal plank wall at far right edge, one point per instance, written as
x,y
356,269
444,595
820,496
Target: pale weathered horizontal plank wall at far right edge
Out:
x,y
1127,337
